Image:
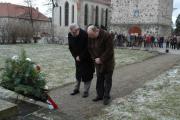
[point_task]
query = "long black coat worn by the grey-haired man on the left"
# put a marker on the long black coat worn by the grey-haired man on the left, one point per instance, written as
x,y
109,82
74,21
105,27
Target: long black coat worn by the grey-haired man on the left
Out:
x,y
78,46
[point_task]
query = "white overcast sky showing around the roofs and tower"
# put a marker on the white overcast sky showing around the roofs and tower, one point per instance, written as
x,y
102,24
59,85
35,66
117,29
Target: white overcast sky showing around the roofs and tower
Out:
x,y
43,8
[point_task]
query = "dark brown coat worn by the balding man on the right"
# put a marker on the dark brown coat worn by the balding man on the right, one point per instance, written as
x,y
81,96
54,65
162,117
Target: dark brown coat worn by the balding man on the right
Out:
x,y
102,47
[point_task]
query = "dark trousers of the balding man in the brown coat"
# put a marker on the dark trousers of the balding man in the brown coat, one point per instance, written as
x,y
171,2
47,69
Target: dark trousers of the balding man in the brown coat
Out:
x,y
104,84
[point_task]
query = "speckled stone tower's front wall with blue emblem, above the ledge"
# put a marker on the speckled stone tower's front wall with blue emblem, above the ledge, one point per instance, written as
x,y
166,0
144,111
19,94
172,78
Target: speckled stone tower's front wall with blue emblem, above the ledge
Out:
x,y
134,11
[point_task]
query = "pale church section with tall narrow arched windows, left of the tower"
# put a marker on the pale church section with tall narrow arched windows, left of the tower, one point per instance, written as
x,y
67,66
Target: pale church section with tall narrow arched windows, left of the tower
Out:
x,y
83,12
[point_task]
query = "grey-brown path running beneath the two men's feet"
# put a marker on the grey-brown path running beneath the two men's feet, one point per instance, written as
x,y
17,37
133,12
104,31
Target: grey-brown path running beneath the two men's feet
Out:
x,y
125,80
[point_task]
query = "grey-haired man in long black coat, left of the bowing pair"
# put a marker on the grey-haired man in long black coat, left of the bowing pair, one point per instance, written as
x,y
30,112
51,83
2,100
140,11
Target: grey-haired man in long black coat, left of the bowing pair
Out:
x,y
78,46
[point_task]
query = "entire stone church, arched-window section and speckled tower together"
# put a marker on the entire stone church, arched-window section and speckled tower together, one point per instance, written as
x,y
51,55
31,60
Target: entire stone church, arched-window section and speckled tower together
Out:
x,y
125,16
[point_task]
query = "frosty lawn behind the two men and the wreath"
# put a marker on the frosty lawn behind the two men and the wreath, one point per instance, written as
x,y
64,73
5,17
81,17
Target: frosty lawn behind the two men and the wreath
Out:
x,y
57,62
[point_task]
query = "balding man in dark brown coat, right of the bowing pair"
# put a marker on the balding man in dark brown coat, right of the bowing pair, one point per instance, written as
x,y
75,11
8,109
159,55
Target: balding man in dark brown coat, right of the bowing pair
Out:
x,y
101,49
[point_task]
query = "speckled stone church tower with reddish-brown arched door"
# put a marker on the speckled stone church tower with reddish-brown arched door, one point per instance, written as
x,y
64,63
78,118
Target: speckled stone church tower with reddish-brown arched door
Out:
x,y
142,16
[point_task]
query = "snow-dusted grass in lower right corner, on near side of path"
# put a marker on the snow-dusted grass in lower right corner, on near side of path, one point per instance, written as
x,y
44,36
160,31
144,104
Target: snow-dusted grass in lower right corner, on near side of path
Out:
x,y
159,99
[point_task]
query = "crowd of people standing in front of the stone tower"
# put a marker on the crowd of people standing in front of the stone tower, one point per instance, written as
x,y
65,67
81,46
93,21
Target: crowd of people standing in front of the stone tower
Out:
x,y
146,41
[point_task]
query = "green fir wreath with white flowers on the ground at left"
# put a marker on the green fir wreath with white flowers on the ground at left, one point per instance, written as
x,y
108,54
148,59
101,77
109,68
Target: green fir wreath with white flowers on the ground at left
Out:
x,y
24,77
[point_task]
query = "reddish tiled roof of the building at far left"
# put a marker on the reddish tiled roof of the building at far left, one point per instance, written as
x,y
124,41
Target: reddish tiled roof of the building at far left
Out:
x,y
18,11
